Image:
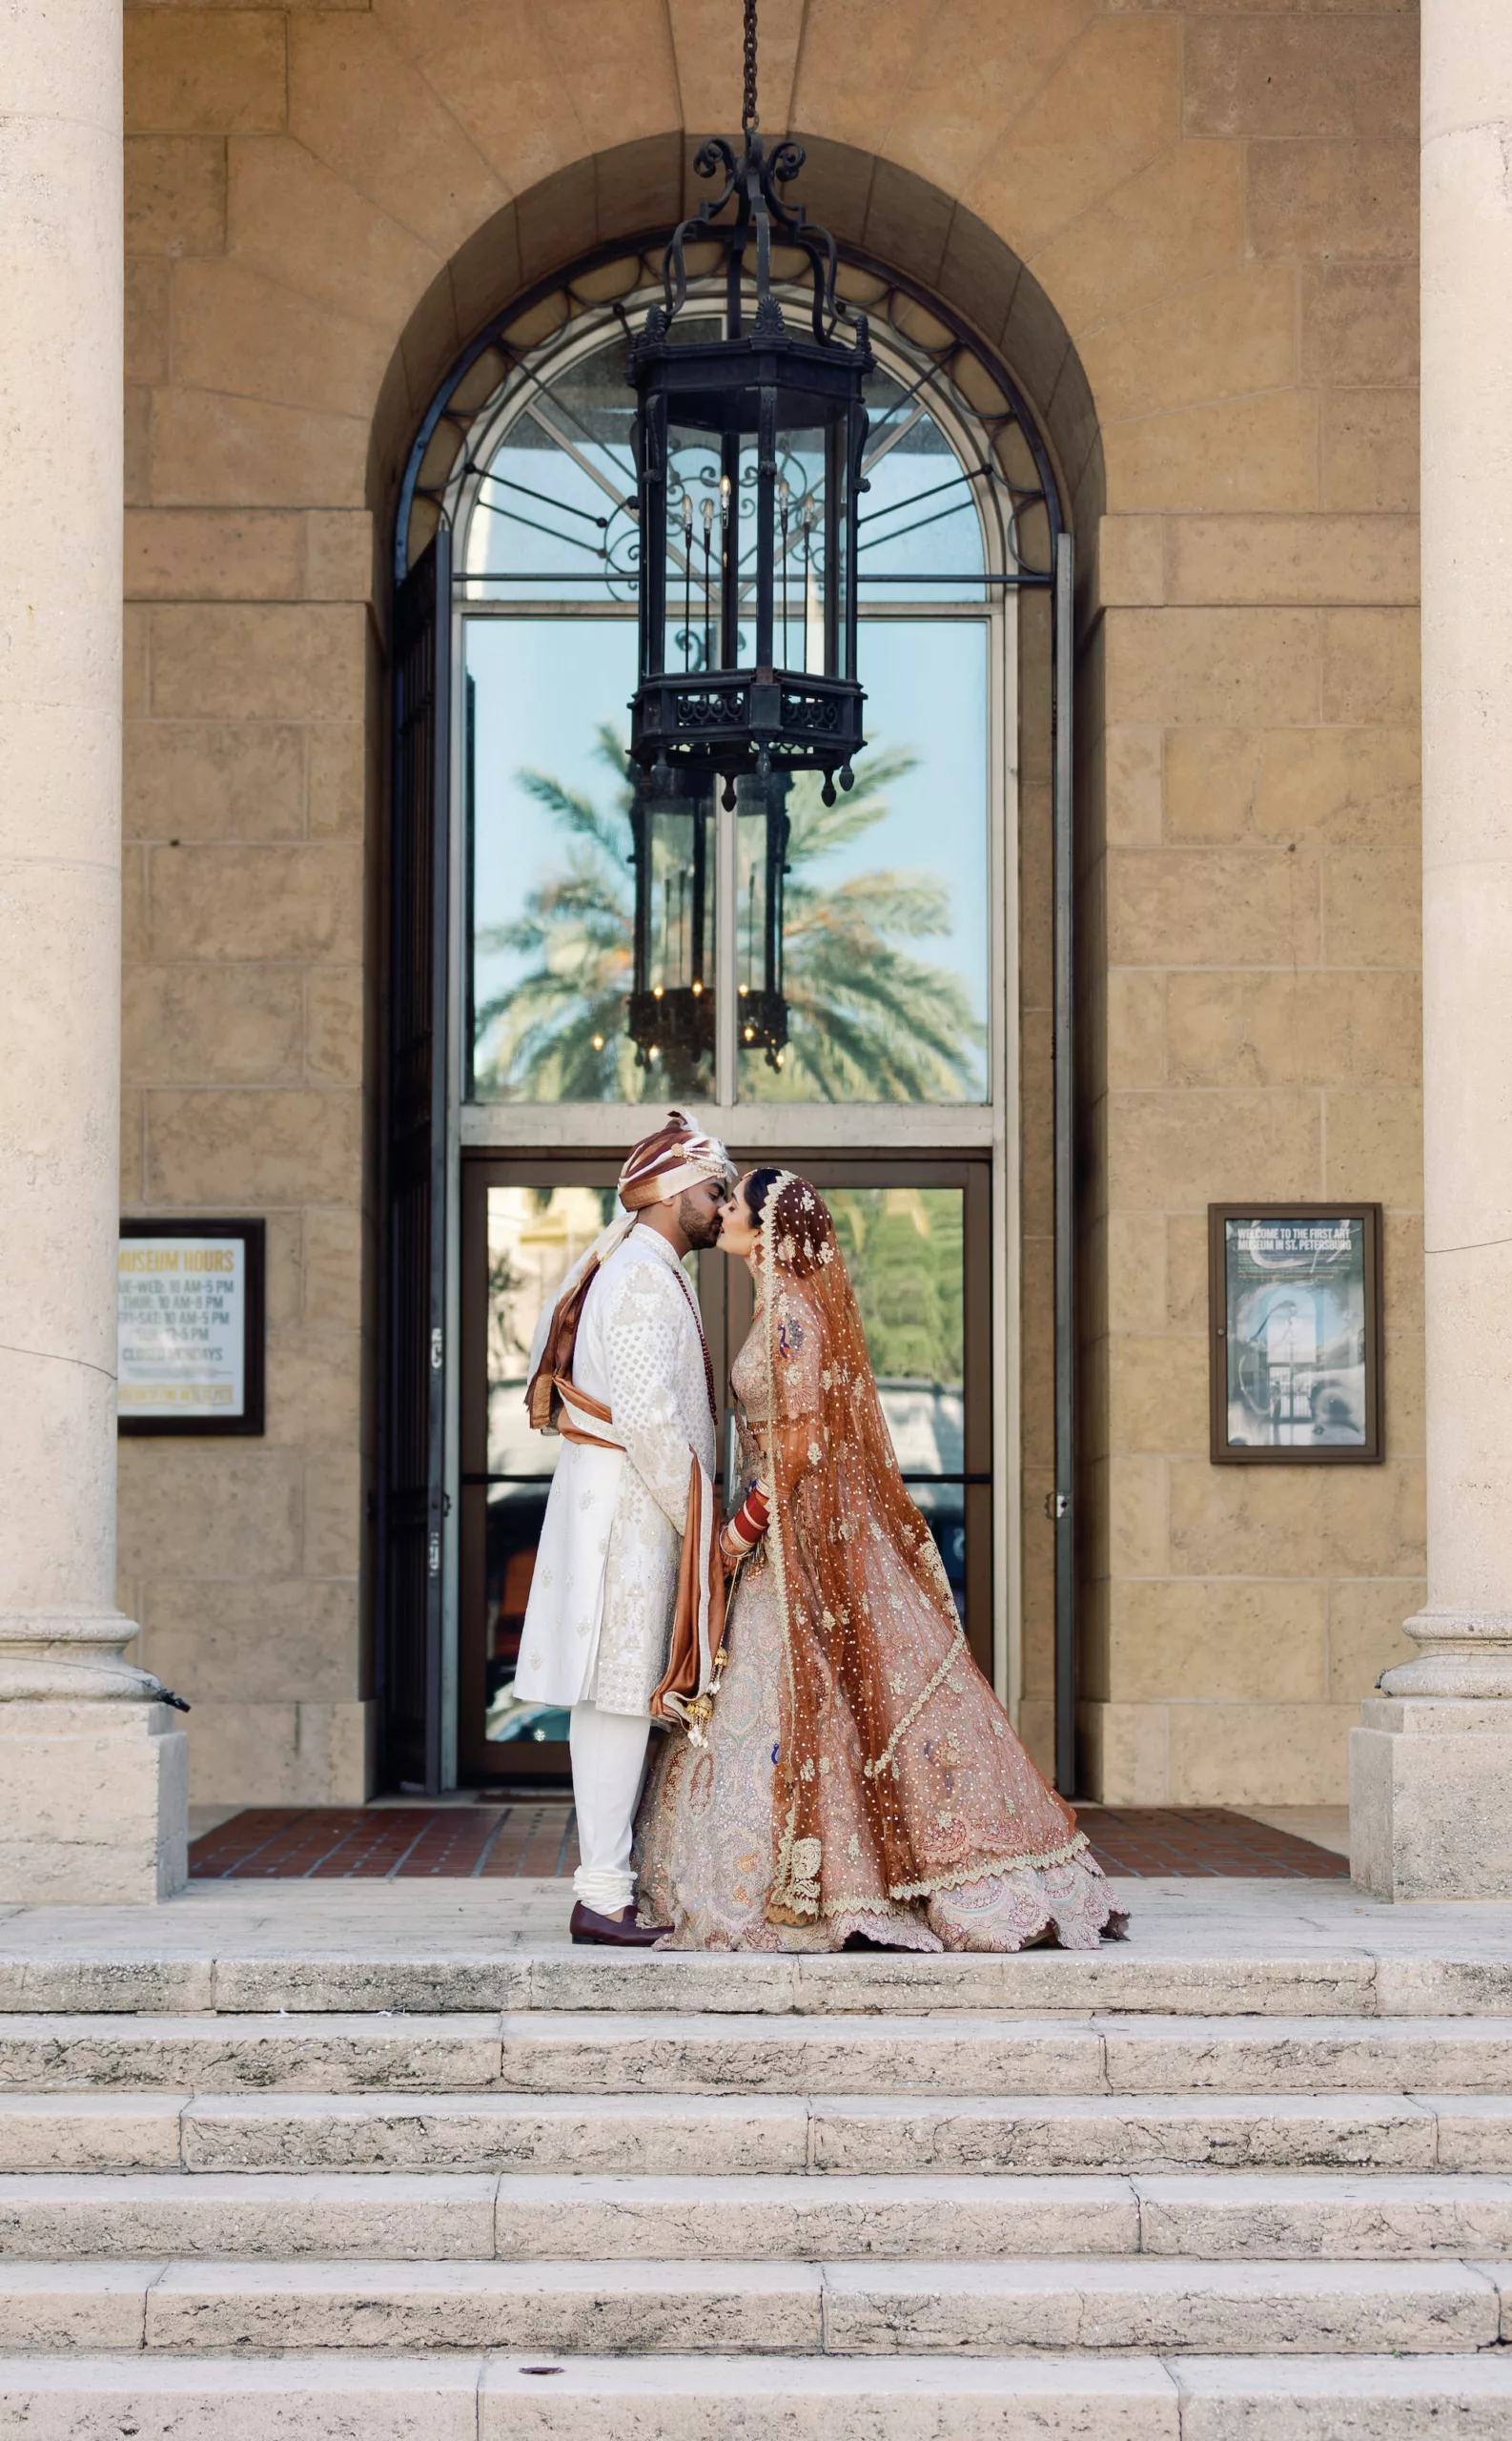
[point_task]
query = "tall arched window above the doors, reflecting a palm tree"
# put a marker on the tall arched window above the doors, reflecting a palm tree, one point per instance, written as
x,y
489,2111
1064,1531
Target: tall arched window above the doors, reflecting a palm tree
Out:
x,y
891,900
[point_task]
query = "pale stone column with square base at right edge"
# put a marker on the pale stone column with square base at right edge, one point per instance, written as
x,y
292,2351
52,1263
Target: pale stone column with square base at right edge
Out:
x,y
1433,1766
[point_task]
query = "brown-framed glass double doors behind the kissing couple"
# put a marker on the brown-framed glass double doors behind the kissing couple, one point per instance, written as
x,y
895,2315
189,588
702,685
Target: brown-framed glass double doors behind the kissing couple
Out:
x,y
916,1236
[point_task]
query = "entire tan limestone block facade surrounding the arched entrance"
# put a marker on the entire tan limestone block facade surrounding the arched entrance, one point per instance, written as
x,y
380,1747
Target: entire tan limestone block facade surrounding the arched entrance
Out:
x,y
1191,231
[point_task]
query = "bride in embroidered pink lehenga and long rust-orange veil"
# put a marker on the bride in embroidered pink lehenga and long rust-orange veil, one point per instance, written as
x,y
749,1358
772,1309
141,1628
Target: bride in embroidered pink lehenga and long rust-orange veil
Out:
x,y
855,1773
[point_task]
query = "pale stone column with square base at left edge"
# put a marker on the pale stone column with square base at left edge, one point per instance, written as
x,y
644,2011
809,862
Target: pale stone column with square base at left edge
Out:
x,y
94,1773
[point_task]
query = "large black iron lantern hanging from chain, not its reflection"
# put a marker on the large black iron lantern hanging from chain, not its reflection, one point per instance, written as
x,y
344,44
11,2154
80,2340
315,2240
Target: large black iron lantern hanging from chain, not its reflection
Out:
x,y
750,475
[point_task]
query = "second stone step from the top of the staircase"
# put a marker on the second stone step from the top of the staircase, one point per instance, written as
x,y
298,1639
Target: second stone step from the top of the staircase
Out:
x,y
701,2054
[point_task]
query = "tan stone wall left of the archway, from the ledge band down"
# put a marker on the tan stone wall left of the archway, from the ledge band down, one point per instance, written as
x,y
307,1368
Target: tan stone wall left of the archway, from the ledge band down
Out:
x,y
245,1092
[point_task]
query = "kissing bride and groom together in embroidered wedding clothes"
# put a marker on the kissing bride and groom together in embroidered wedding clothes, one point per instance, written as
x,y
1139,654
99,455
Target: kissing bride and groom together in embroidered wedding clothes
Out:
x,y
835,1771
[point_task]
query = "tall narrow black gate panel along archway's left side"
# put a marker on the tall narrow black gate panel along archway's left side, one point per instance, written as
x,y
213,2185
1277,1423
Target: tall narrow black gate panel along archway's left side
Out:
x,y
413,1371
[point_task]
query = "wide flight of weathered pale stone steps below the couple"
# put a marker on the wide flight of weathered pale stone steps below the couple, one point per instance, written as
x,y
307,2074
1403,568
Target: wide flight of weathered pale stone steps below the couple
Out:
x,y
669,2198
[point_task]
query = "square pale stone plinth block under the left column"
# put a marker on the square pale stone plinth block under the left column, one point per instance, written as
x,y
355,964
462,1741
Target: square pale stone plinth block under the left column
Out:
x,y
94,1805
